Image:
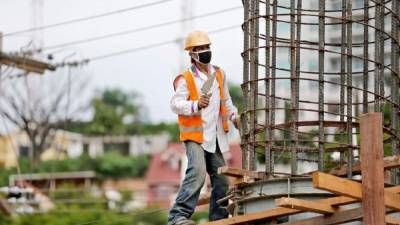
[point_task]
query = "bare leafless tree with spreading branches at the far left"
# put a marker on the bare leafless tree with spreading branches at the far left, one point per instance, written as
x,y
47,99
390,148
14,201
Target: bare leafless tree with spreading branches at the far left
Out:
x,y
37,105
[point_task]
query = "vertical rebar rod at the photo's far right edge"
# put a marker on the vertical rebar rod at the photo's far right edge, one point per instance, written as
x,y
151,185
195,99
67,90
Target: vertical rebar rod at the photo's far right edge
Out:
x,y
395,55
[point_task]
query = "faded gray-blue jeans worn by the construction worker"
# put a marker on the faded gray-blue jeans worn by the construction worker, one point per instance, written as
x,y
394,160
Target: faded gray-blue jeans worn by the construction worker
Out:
x,y
200,162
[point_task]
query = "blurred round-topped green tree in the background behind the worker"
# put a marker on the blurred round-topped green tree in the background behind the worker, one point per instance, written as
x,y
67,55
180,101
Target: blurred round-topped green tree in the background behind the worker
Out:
x,y
119,113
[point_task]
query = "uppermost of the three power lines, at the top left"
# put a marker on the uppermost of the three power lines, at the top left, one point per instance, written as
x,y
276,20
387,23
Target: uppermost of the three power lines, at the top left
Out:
x,y
85,18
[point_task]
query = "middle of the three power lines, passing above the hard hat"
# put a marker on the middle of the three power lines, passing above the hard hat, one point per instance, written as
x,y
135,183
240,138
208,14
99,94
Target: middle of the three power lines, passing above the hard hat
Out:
x,y
132,30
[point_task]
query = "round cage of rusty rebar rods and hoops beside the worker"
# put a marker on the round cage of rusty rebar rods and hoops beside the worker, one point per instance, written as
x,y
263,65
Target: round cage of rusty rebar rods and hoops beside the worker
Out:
x,y
310,68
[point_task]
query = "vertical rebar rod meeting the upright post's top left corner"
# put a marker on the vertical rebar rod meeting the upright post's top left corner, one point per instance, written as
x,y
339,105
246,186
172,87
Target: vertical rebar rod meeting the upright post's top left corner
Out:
x,y
365,55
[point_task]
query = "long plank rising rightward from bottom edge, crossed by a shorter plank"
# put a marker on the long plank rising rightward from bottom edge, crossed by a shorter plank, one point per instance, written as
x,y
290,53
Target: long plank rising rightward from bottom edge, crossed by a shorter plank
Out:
x,y
276,212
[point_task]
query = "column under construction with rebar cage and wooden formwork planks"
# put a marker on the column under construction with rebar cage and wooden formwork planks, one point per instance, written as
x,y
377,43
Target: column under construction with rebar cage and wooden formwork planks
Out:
x,y
317,78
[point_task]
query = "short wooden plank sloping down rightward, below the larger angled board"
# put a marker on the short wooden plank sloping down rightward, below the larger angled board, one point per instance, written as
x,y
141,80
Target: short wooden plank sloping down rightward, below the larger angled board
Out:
x,y
304,205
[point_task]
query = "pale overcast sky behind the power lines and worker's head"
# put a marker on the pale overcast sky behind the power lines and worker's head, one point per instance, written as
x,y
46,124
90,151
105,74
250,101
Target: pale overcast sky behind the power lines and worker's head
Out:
x,y
149,72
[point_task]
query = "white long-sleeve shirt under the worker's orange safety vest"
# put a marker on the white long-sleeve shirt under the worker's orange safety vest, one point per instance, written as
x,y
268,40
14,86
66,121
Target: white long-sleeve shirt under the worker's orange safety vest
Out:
x,y
212,123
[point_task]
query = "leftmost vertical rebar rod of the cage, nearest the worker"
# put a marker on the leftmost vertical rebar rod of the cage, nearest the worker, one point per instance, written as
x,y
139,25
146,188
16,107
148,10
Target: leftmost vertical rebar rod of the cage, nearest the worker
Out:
x,y
245,86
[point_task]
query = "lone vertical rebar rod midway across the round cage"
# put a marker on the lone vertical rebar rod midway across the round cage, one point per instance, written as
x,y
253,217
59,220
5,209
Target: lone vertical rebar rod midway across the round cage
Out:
x,y
321,69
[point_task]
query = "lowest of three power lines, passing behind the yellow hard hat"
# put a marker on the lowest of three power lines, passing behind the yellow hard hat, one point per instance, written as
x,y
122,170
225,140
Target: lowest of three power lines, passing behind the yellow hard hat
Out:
x,y
113,54
